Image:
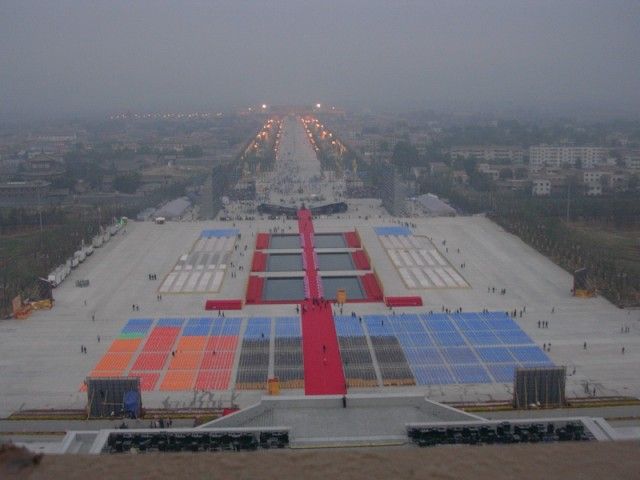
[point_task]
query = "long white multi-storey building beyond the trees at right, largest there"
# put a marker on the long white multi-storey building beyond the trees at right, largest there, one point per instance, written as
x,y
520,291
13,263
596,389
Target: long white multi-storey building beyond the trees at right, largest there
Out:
x,y
557,156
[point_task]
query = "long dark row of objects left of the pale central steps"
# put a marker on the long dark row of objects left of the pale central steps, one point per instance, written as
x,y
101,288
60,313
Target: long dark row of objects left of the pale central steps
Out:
x,y
166,441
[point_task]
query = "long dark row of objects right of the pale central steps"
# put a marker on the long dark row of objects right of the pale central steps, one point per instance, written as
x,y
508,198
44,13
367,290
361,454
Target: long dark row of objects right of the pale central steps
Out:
x,y
501,433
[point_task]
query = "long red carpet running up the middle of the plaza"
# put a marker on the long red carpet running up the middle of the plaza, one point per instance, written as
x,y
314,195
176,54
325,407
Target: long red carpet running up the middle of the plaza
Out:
x,y
323,374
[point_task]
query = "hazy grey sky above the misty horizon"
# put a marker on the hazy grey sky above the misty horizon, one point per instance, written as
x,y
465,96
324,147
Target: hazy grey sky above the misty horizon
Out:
x,y
62,57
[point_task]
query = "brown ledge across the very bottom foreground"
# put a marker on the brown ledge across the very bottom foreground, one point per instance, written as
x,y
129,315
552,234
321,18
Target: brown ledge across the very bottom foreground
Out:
x,y
550,461
